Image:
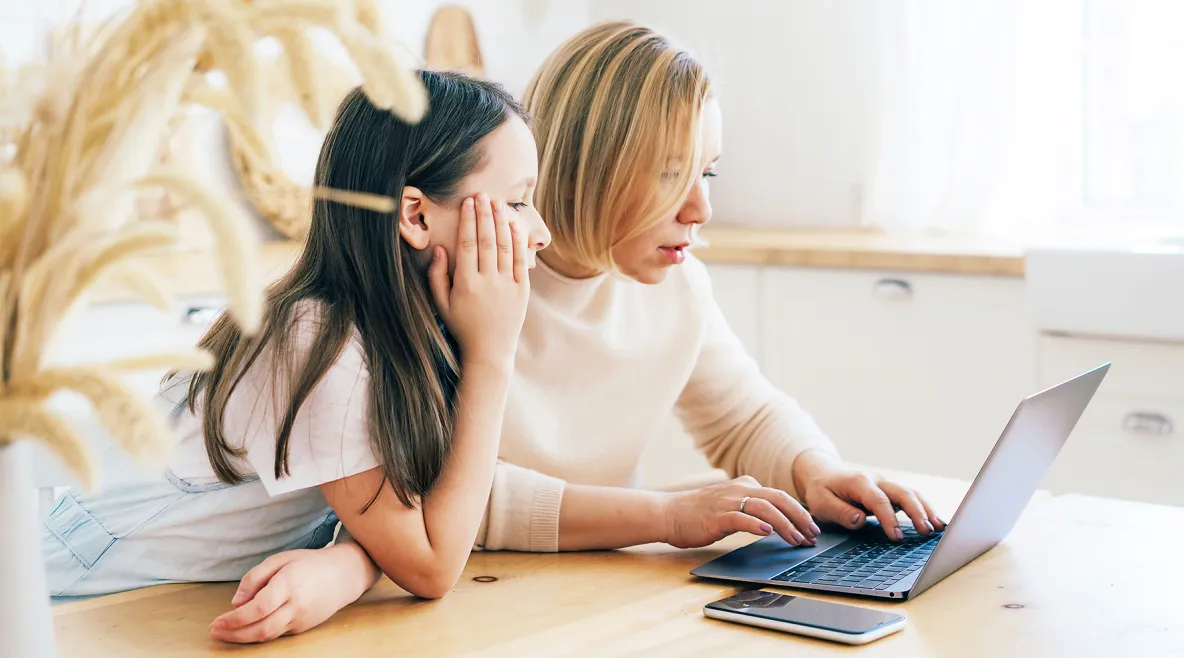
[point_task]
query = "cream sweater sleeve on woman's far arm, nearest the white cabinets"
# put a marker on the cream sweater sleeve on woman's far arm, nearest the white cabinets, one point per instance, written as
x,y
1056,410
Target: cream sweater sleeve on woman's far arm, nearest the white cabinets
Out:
x,y
739,421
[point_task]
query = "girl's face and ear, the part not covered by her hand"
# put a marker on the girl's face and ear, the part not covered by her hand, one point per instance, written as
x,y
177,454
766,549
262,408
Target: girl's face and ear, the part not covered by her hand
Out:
x,y
507,175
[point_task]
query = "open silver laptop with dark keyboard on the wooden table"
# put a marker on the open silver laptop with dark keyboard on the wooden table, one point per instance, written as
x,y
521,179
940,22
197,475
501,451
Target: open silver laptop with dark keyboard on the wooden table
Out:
x,y
866,564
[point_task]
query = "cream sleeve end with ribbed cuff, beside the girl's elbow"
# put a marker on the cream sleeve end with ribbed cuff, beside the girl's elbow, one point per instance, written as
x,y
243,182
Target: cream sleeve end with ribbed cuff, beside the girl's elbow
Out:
x,y
523,513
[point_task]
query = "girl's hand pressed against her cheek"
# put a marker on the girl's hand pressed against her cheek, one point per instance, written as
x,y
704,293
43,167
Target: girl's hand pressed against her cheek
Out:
x,y
484,304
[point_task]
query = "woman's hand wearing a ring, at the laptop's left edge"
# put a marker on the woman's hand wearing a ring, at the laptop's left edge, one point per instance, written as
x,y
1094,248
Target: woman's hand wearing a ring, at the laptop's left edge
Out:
x,y
704,517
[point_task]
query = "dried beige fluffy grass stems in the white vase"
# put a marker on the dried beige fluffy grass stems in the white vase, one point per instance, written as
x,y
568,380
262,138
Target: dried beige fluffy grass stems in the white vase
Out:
x,y
93,139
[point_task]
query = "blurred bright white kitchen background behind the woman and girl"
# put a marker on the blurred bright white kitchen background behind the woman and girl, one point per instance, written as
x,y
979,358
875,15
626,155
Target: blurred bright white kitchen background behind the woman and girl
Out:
x,y
926,209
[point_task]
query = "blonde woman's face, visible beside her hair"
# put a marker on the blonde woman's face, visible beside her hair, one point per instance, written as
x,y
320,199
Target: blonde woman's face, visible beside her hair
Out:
x,y
649,256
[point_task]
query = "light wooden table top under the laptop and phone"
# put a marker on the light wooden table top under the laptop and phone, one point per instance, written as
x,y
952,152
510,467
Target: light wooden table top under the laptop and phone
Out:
x,y
1078,577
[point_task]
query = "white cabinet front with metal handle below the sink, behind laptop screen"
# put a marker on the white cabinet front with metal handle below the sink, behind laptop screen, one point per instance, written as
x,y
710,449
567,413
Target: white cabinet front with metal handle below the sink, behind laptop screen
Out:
x,y
1130,442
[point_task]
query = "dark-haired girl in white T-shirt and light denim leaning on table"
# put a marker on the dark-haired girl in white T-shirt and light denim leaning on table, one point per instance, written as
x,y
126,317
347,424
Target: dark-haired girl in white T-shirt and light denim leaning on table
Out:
x,y
376,390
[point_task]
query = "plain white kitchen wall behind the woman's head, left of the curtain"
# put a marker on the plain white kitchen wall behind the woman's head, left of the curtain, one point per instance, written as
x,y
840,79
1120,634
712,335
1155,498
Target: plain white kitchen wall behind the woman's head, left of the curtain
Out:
x,y
797,80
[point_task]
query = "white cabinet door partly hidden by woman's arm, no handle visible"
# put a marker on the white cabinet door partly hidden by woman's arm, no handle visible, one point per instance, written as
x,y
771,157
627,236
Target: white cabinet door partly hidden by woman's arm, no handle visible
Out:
x,y
671,456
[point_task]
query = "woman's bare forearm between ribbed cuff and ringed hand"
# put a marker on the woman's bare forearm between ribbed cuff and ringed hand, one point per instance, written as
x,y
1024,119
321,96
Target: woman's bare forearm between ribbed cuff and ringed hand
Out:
x,y
606,518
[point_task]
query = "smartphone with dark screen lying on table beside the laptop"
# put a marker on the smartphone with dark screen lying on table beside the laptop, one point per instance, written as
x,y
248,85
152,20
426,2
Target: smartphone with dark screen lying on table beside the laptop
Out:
x,y
806,617
